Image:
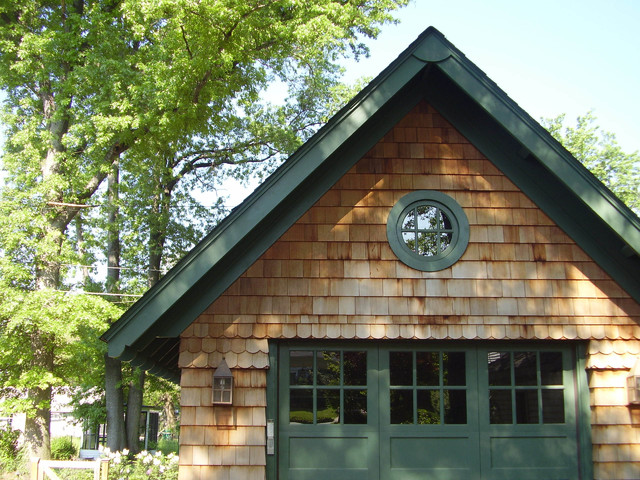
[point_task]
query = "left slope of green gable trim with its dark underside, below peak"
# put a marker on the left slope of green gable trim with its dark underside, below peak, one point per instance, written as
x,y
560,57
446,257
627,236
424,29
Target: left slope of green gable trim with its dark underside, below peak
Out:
x,y
196,281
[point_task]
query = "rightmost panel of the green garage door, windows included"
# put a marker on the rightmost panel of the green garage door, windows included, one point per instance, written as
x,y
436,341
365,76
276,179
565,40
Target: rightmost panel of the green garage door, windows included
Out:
x,y
527,413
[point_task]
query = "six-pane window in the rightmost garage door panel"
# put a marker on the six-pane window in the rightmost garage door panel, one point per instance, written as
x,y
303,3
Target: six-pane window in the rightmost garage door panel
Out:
x,y
525,387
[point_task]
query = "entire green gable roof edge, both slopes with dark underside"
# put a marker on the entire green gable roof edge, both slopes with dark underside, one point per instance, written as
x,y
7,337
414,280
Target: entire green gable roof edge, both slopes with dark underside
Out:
x,y
430,69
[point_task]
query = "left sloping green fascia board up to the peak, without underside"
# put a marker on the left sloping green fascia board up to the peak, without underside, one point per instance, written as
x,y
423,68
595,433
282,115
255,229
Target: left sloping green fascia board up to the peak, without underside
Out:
x,y
278,187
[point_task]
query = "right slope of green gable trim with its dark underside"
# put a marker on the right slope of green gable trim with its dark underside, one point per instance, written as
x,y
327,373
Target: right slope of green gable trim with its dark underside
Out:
x,y
561,186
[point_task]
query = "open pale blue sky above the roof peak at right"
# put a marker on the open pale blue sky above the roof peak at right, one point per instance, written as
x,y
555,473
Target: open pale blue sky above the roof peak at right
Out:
x,y
550,56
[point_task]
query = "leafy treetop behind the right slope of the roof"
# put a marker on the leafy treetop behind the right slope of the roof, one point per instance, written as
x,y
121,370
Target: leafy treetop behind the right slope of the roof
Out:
x,y
599,151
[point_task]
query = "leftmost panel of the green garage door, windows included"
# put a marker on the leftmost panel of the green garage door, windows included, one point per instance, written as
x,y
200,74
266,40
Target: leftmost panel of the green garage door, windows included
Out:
x,y
328,425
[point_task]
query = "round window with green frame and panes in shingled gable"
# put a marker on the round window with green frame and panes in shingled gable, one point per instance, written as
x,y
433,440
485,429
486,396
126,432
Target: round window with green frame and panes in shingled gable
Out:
x,y
428,230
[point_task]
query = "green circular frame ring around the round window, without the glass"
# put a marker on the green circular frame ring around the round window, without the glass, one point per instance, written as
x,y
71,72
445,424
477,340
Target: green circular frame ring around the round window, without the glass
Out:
x,y
459,224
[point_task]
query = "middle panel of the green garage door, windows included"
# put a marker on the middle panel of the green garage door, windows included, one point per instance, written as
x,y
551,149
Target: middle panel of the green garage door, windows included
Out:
x,y
427,415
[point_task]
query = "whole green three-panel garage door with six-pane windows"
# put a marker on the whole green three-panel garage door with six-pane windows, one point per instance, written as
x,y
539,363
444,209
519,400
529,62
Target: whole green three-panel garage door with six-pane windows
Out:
x,y
440,411
